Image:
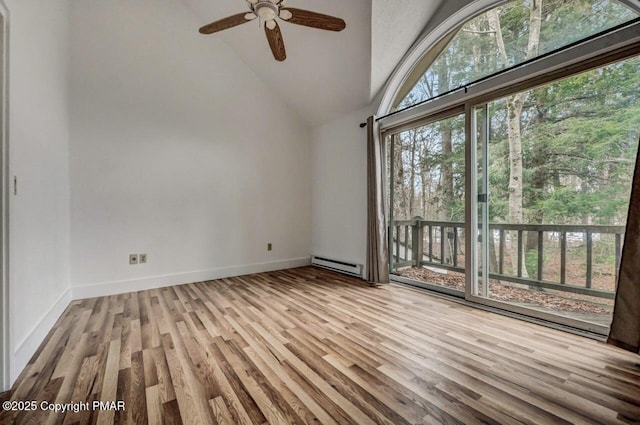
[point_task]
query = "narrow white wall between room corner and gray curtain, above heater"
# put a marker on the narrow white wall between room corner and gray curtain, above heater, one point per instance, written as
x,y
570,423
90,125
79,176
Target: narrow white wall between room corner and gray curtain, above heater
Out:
x,y
340,188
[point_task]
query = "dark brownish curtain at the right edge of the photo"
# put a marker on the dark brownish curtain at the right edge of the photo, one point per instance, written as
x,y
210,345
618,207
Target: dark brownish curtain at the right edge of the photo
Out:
x,y
625,328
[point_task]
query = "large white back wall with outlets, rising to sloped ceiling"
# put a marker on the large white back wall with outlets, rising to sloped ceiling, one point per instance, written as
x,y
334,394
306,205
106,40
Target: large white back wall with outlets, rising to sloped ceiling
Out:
x,y
179,151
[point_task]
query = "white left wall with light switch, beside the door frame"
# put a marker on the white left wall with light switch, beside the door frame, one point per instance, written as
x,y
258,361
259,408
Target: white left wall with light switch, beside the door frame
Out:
x,y
39,157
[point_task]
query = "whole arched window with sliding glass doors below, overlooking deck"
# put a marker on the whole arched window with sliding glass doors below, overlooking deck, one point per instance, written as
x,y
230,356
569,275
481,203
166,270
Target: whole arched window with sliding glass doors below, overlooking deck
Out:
x,y
510,145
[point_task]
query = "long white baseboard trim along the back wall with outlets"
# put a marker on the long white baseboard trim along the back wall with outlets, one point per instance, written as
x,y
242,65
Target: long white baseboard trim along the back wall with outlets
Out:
x,y
134,285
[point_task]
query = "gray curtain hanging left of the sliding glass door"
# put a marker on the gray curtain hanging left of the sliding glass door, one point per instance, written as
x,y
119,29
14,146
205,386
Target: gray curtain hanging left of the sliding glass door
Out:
x,y
377,251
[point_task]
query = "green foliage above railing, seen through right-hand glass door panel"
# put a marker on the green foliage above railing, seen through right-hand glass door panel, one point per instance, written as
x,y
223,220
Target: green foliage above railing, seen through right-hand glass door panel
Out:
x,y
580,139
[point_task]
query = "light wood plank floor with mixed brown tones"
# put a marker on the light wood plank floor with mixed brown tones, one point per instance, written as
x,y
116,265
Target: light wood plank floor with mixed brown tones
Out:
x,y
310,346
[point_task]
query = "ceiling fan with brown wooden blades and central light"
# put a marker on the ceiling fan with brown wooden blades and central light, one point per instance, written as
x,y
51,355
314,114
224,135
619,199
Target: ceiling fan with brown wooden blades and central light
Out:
x,y
267,12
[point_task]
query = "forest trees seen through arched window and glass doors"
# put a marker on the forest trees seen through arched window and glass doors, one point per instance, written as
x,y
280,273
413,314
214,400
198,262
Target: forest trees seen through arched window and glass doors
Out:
x,y
562,153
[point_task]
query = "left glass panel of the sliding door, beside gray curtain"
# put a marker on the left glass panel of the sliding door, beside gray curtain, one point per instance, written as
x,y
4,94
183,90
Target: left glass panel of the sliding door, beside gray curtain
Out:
x,y
426,174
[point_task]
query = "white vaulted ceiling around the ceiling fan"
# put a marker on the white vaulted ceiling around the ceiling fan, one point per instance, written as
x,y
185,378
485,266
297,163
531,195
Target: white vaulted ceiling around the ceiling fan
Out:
x,y
326,74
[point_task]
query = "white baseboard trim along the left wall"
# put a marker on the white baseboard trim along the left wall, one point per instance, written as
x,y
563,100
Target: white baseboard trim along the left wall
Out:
x,y
30,343
